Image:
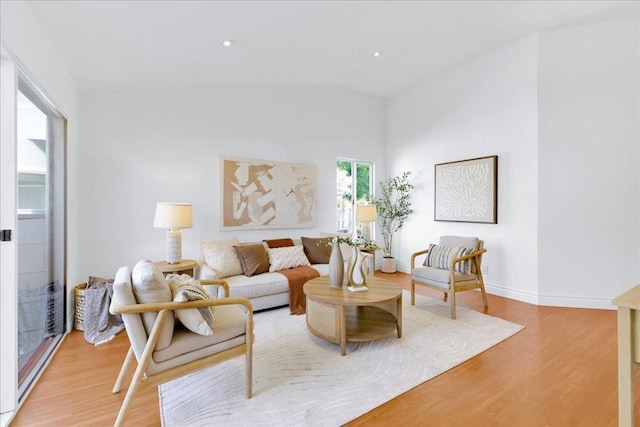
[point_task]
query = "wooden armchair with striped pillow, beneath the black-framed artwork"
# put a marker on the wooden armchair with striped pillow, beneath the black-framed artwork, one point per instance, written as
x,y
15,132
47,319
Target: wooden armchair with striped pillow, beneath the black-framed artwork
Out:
x,y
453,265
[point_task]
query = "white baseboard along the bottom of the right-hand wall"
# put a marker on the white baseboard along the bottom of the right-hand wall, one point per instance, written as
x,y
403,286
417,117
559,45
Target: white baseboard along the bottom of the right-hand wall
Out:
x,y
538,299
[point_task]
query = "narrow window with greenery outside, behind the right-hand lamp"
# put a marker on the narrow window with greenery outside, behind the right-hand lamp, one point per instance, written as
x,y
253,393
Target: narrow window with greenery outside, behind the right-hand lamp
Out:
x,y
346,182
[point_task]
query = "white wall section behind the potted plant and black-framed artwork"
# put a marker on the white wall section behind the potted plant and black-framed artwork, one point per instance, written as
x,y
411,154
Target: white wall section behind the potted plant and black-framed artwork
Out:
x,y
485,107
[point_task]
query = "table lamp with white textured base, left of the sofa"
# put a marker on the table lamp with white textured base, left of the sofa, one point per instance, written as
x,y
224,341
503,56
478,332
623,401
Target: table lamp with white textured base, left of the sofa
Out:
x,y
173,217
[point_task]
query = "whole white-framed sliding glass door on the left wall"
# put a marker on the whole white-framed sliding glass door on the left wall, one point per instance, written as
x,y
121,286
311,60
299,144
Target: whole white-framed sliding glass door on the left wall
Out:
x,y
32,223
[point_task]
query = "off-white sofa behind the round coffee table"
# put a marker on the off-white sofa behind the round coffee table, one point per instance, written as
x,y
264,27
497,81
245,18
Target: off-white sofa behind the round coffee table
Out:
x,y
264,290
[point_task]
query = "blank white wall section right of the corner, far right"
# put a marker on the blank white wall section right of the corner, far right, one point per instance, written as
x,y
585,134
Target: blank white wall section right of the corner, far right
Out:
x,y
589,148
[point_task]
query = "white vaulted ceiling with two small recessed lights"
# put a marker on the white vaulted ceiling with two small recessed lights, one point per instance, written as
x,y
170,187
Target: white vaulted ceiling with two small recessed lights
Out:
x,y
122,44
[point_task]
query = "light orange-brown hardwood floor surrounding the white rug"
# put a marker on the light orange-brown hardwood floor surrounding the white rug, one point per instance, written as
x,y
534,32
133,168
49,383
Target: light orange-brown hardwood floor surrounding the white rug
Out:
x,y
561,370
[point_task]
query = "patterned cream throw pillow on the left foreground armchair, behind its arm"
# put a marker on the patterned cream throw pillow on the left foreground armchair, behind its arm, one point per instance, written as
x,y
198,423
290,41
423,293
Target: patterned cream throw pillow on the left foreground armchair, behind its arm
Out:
x,y
184,288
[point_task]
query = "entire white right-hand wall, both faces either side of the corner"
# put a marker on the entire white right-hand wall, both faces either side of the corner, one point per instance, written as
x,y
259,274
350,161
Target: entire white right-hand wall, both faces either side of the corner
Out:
x,y
561,110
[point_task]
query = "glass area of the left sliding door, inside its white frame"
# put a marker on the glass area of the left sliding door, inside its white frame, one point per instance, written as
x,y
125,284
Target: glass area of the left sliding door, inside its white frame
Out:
x,y
40,285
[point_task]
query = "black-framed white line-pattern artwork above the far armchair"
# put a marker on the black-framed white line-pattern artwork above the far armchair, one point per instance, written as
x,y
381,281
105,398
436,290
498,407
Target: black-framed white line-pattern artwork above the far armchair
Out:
x,y
467,190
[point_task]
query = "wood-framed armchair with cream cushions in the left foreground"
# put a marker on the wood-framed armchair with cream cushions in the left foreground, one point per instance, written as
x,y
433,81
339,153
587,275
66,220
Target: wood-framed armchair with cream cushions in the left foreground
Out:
x,y
165,352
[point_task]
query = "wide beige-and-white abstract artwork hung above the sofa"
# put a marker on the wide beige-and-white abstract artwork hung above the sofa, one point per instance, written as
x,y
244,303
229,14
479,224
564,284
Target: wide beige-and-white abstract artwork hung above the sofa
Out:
x,y
262,194
